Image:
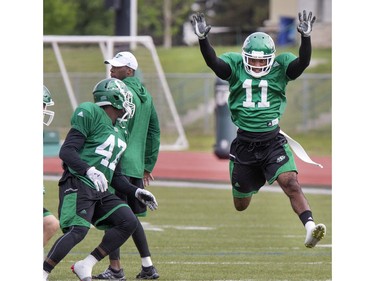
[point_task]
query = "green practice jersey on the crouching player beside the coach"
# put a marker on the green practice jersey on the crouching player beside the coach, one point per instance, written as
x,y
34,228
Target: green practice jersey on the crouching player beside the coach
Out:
x,y
105,143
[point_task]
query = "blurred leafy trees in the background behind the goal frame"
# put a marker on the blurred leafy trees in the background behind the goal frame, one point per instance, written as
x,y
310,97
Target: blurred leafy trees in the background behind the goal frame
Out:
x,y
161,19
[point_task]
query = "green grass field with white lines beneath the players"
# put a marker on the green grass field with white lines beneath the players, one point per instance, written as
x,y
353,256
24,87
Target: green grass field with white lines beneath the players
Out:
x,y
196,234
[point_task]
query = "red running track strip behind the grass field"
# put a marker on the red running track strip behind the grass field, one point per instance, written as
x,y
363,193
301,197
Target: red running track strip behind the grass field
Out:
x,y
206,167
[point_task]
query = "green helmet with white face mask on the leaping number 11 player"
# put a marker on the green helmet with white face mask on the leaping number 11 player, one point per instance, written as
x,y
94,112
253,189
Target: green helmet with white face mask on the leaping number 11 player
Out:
x,y
258,46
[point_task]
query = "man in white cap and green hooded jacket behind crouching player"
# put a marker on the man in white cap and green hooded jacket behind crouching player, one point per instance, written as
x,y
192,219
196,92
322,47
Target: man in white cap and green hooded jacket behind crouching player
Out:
x,y
138,161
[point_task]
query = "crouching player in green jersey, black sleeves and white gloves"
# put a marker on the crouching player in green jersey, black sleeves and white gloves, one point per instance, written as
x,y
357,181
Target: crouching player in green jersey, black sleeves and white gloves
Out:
x,y
91,155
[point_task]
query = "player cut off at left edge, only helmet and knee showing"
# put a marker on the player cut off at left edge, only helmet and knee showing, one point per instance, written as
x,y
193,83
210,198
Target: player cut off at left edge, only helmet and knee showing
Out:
x,y
50,222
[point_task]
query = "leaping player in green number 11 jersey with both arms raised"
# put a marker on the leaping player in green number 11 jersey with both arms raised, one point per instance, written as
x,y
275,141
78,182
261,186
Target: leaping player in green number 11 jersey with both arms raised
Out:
x,y
257,100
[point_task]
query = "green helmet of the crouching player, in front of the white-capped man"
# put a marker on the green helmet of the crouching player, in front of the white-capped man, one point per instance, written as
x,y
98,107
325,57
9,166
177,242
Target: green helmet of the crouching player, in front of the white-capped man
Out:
x,y
112,91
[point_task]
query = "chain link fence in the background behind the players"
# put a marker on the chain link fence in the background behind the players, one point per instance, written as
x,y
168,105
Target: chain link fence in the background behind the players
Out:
x,y
309,100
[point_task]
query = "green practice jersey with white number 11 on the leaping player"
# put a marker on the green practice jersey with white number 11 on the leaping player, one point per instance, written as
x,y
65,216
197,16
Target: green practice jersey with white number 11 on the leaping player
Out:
x,y
257,104
